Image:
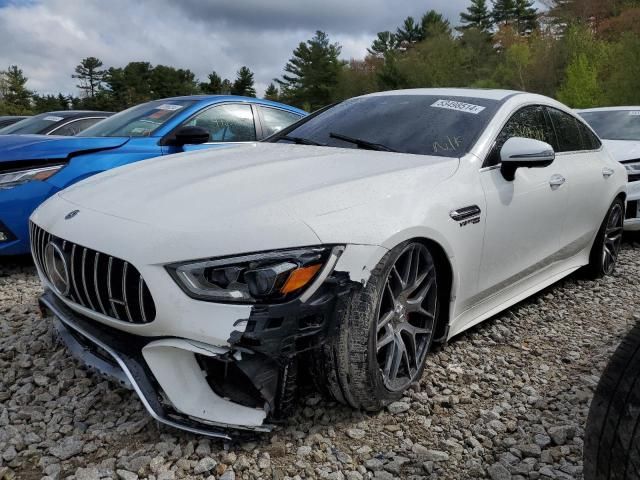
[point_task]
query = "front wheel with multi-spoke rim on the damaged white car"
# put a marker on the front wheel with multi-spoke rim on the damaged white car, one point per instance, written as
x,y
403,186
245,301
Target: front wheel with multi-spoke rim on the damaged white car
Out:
x,y
372,360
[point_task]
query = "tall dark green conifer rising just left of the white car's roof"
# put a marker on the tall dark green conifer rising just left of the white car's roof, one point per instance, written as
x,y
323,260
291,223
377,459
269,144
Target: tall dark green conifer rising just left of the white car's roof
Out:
x,y
311,75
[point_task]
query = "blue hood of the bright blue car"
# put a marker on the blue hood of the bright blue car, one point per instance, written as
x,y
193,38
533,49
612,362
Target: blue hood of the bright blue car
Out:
x,y
38,147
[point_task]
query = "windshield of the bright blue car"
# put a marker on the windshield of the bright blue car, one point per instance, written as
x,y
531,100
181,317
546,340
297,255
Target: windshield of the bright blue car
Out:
x,y
139,121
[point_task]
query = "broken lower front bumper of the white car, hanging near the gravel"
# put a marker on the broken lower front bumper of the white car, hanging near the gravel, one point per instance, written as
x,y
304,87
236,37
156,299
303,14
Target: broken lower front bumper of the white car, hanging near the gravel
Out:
x,y
165,373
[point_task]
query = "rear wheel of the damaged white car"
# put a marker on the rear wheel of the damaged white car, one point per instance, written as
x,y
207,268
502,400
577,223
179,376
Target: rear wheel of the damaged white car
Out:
x,y
606,247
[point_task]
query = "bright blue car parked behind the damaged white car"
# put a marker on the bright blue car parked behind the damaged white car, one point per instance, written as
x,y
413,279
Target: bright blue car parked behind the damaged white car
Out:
x,y
34,167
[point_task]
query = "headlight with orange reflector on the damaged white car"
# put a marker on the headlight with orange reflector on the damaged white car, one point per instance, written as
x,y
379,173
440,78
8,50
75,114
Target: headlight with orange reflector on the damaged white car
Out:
x,y
270,277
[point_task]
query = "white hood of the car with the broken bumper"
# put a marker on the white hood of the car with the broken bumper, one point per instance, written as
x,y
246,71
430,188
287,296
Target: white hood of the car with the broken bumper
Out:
x,y
187,191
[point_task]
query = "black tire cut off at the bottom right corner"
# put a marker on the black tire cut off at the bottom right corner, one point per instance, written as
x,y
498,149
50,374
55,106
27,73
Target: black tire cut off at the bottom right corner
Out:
x,y
612,436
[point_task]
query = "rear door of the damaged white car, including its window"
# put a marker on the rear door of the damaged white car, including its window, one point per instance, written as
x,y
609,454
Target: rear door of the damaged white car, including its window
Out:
x,y
578,153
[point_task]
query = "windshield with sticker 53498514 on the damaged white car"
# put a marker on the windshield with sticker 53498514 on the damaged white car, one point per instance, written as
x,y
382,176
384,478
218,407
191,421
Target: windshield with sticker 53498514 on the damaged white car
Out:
x,y
418,124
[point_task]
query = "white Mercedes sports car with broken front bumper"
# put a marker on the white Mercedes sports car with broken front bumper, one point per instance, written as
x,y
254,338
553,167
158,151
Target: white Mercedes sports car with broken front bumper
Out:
x,y
340,249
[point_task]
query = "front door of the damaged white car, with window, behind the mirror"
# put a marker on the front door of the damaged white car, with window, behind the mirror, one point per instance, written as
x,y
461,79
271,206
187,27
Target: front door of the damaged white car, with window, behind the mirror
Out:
x,y
525,217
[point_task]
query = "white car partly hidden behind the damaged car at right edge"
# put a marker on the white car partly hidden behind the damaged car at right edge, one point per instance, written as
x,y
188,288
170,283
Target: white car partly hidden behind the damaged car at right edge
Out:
x,y
619,128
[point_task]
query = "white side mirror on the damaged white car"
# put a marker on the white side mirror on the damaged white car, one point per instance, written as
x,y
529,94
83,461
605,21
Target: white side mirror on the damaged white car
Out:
x,y
519,152
